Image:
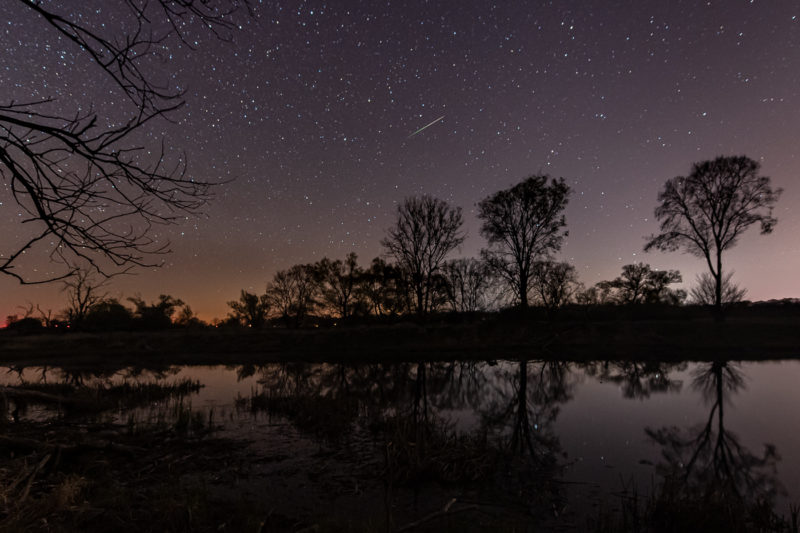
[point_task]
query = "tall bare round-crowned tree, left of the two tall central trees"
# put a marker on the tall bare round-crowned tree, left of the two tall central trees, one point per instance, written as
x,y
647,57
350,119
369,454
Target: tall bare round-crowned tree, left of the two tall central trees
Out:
x,y
427,229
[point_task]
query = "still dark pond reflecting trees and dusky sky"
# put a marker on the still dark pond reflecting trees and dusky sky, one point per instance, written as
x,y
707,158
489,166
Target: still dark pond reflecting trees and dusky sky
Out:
x,y
396,444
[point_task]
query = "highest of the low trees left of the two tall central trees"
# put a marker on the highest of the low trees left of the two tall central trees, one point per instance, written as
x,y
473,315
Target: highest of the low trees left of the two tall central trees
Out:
x,y
338,283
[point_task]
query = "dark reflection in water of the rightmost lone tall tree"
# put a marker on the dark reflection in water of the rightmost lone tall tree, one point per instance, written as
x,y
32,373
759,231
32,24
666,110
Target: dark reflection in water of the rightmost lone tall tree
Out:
x,y
708,475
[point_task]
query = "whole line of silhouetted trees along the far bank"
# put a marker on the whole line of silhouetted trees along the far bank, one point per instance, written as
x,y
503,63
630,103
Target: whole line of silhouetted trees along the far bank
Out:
x,y
524,226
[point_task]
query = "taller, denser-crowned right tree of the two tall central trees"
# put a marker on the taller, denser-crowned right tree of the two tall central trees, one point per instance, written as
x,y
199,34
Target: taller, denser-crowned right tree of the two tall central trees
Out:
x,y
523,224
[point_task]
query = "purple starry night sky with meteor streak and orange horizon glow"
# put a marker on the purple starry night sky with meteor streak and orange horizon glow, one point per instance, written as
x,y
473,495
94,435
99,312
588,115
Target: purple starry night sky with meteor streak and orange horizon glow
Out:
x,y
305,117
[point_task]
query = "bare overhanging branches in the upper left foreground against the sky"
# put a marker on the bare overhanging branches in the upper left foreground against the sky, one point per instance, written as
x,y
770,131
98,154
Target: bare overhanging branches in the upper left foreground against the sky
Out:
x,y
89,191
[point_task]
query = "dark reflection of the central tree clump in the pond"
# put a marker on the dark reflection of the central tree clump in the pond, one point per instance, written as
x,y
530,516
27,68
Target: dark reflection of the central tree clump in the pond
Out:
x,y
479,432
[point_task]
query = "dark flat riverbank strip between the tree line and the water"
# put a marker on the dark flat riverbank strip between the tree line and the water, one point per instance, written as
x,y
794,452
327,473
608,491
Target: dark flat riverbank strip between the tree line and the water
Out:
x,y
699,339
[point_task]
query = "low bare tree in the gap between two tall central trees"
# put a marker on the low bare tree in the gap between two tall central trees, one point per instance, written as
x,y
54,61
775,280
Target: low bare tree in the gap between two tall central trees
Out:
x,y
467,283
